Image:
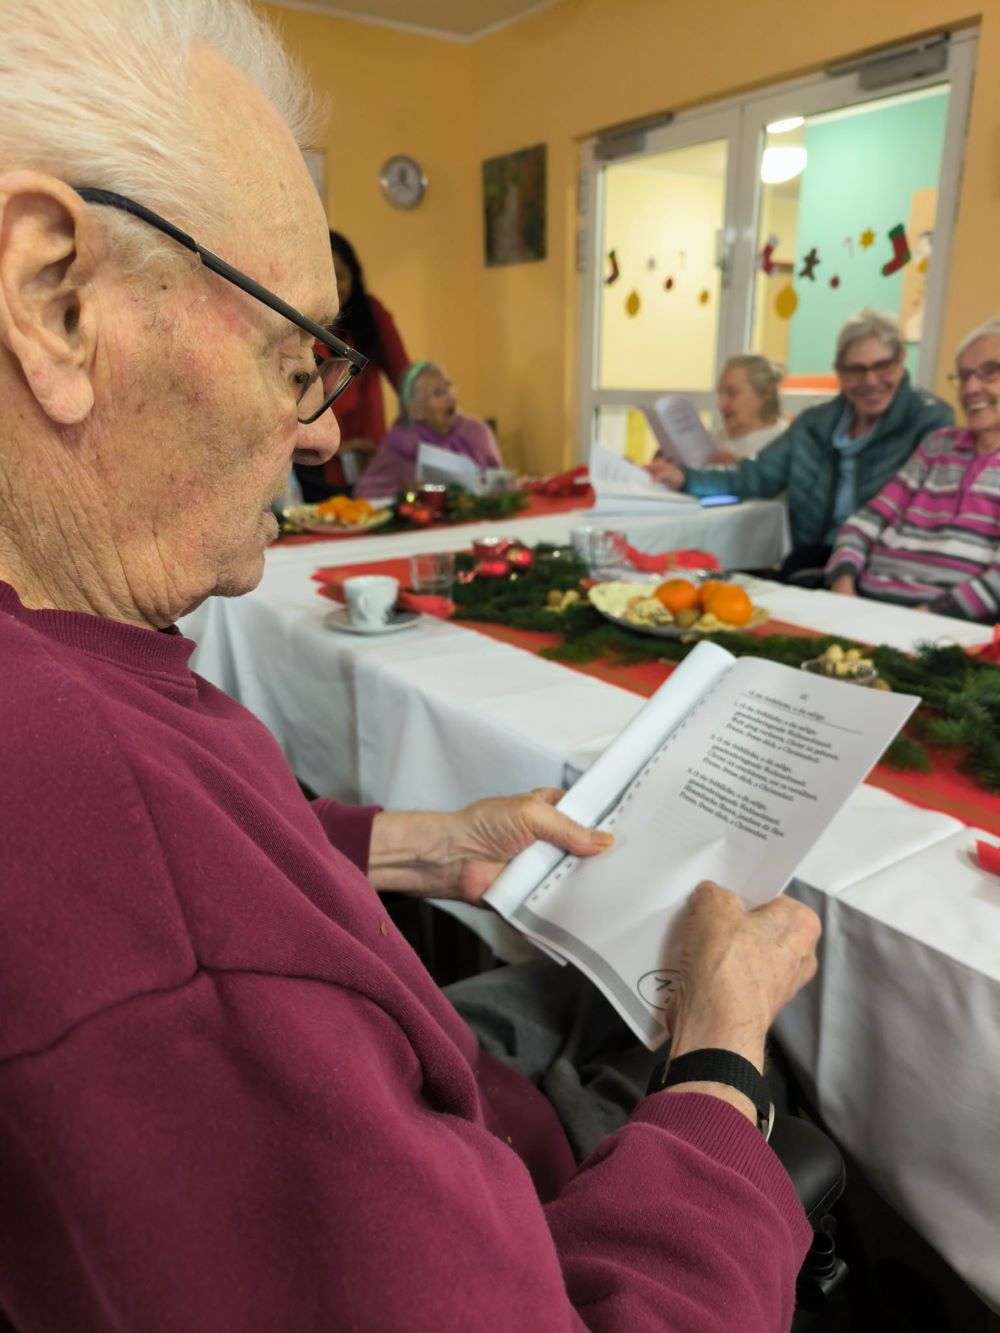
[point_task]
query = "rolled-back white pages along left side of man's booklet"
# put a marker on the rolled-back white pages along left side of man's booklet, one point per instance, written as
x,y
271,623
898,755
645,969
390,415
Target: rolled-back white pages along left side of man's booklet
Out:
x,y
605,782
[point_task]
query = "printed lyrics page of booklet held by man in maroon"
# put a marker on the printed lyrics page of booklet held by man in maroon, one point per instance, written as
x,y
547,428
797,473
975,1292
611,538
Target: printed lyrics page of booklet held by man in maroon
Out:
x,y
738,794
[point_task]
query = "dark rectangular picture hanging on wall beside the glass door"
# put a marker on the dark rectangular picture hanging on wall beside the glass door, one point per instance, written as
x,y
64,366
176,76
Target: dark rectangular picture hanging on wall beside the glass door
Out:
x,y
514,207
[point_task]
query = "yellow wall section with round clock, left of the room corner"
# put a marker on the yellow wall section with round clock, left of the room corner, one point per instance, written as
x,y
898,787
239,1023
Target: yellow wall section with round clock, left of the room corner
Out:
x,y
391,93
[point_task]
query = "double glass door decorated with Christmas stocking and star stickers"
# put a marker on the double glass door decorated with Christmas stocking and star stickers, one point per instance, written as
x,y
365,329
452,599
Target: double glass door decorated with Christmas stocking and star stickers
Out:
x,y
763,226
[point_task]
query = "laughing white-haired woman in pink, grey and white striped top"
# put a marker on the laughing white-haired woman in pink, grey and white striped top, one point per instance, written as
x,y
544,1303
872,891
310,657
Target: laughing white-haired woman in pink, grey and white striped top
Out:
x,y
931,538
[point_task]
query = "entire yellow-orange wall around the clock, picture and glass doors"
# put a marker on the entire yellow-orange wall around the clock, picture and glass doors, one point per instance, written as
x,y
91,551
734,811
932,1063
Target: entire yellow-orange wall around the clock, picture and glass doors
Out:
x,y
510,335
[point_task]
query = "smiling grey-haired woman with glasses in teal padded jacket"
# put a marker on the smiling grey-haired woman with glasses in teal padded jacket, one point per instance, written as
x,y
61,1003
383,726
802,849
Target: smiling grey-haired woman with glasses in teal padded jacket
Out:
x,y
838,457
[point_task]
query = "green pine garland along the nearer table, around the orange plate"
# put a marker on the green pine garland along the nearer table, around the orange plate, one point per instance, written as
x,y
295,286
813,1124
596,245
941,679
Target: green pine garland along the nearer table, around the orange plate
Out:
x,y
961,695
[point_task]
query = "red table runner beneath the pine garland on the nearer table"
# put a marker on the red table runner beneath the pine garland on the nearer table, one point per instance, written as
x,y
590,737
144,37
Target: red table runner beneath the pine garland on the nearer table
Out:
x,y
943,790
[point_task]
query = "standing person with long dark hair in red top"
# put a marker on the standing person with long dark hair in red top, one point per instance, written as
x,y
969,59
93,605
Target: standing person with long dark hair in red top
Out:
x,y
365,325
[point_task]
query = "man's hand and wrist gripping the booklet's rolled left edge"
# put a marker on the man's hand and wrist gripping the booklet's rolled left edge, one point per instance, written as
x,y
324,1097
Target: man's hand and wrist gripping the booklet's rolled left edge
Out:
x,y
459,856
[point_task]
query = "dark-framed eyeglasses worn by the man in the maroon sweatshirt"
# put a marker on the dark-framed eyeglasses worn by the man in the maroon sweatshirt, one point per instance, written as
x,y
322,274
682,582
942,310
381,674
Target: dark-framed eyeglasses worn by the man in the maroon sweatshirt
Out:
x,y
318,387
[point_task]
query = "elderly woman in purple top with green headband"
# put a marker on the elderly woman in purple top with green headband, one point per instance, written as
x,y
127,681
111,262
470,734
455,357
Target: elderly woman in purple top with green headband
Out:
x,y
429,415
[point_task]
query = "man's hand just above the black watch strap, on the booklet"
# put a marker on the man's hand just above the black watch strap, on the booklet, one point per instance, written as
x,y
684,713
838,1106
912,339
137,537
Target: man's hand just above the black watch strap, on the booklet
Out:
x,y
739,968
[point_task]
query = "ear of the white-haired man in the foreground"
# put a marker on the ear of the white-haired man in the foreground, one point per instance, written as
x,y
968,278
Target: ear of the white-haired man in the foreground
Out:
x,y
49,314
